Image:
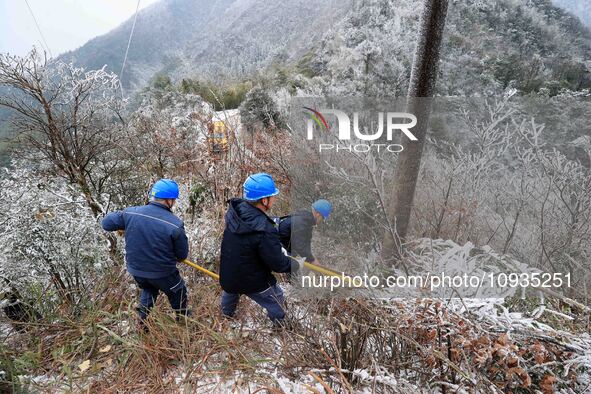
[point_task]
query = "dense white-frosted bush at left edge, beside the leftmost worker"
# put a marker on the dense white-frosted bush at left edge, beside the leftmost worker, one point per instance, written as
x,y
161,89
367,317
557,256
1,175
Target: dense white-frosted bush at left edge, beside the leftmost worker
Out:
x,y
48,235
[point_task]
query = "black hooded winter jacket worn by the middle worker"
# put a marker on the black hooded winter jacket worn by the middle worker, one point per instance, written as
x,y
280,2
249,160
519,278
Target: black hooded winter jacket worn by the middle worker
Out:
x,y
251,250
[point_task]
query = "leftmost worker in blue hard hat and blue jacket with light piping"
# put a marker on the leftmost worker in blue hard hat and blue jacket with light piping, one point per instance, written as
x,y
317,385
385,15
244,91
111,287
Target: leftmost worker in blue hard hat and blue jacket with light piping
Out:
x,y
155,241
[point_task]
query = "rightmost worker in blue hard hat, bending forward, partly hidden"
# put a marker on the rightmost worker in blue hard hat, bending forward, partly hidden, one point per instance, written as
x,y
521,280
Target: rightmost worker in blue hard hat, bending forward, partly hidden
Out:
x,y
295,230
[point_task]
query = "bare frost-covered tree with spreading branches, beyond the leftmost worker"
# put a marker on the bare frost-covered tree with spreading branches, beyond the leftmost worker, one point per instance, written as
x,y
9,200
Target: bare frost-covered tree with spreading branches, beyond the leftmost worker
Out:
x,y
69,119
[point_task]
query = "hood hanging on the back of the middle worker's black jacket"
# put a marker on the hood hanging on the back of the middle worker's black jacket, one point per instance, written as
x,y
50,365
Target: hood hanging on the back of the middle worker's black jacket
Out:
x,y
243,218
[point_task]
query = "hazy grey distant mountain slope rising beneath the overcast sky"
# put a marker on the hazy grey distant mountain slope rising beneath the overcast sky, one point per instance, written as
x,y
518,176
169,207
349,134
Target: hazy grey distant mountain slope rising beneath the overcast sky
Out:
x,y
210,39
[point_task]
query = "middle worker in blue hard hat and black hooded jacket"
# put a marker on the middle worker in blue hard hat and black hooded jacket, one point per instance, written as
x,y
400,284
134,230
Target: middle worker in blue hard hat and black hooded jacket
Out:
x,y
251,251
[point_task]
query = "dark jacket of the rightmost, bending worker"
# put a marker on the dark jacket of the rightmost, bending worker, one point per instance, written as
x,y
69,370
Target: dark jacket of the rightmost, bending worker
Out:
x,y
295,233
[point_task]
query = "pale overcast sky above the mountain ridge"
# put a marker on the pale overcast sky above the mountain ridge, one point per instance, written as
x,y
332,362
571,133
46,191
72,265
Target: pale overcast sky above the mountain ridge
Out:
x,y
66,24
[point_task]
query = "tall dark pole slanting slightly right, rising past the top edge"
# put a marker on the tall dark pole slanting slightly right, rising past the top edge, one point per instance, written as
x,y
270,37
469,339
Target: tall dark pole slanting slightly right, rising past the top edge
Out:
x,y
422,84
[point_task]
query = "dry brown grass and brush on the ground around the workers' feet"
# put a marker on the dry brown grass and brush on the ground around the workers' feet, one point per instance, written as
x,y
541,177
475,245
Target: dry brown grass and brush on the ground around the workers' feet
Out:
x,y
420,344
